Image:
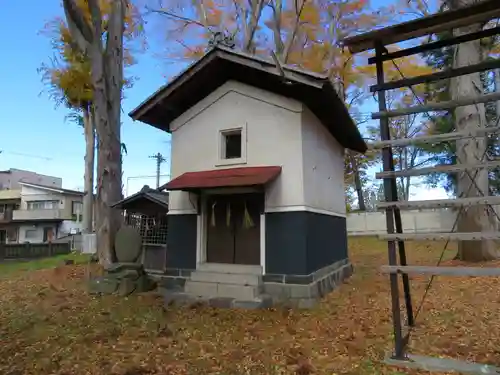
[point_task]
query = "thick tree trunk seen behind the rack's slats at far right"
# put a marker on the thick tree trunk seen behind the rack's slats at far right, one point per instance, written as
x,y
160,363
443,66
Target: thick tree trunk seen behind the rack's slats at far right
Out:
x,y
470,151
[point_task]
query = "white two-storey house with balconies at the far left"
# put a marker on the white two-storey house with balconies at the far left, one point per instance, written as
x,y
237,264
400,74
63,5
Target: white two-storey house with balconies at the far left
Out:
x,y
40,213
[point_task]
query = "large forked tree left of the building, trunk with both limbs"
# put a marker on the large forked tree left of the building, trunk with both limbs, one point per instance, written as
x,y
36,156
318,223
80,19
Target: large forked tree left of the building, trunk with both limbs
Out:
x,y
99,37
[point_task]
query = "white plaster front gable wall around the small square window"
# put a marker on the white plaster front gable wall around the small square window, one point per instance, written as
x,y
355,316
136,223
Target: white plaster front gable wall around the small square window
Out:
x,y
273,137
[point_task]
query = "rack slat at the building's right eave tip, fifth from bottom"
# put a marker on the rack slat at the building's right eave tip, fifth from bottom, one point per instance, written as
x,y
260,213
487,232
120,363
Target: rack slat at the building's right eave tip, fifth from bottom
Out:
x,y
437,138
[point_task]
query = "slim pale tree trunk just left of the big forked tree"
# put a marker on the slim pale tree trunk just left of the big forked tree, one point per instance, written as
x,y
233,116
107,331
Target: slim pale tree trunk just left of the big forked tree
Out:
x,y
88,199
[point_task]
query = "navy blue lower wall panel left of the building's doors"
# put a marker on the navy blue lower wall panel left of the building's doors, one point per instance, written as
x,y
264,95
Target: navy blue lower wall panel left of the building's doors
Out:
x,y
181,241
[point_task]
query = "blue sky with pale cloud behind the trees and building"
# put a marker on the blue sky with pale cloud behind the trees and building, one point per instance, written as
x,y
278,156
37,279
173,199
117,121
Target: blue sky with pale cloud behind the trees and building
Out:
x,y
35,134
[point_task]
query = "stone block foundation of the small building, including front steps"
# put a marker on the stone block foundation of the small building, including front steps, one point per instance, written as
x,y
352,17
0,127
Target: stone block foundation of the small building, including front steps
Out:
x,y
250,290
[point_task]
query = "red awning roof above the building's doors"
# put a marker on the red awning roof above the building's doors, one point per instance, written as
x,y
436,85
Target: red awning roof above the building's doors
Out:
x,y
232,177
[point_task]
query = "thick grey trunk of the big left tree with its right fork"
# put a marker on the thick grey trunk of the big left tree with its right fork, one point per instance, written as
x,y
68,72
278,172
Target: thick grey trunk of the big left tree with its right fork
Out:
x,y
107,69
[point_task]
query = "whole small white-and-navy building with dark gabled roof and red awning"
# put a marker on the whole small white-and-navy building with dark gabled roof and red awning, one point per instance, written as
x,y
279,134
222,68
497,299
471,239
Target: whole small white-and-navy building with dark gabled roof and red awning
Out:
x,y
256,203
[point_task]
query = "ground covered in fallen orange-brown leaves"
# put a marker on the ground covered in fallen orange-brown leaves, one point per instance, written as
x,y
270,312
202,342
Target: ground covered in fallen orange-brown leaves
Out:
x,y
50,325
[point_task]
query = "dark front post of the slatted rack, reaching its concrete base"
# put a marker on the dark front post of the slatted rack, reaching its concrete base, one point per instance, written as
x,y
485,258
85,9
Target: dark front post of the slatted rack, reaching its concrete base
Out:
x,y
390,195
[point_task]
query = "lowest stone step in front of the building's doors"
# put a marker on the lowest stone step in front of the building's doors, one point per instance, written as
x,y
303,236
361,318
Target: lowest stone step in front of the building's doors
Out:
x,y
208,289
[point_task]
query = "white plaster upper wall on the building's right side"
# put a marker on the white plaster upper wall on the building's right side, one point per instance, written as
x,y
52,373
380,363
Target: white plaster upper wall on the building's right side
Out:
x,y
323,167
